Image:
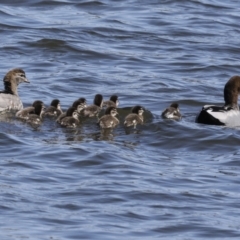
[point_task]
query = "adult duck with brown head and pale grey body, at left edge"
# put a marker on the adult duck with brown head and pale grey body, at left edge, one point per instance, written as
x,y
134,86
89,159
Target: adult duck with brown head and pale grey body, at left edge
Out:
x,y
9,99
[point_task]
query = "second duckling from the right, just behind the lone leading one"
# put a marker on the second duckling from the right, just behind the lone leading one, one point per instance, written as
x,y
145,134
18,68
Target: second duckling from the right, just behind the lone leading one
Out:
x,y
135,117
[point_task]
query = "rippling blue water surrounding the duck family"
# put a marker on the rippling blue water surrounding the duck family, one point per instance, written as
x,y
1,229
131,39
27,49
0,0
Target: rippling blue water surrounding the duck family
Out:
x,y
167,179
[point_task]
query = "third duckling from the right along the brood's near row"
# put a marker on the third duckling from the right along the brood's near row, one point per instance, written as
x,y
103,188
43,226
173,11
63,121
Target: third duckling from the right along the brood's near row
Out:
x,y
109,120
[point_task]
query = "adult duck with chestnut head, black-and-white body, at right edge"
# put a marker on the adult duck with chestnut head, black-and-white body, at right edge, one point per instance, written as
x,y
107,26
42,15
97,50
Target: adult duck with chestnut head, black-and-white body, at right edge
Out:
x,y
228,114
